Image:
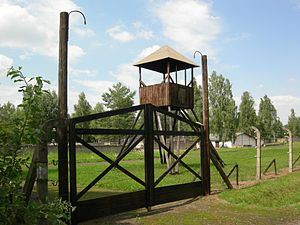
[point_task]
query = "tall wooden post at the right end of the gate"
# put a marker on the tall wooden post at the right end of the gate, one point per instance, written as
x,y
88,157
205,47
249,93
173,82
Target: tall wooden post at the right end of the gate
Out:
x,y
205,159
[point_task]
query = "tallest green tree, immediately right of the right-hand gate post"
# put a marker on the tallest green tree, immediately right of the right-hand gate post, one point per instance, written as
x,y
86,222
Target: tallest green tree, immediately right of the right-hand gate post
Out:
x,y
223,112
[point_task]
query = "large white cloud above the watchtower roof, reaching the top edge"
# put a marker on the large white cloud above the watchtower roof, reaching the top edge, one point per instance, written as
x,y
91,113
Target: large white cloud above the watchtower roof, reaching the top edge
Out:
x,y
189,23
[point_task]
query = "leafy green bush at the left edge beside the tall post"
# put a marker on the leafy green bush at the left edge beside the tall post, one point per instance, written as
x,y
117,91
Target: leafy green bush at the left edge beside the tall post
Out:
x,y
18,126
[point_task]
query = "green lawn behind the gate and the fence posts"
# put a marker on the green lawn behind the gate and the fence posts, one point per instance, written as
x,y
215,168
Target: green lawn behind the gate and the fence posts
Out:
x,y
89,165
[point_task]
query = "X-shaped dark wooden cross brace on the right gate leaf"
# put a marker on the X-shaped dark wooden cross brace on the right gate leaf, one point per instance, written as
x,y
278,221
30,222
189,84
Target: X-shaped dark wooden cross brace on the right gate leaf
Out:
x,y
178,159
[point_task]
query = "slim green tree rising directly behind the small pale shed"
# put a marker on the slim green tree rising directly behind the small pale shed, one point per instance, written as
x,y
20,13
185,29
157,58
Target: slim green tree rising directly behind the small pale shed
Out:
x,y
247,114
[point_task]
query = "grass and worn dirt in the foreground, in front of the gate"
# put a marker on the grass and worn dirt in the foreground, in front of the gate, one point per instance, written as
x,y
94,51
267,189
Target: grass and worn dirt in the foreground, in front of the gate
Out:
x,y
274,201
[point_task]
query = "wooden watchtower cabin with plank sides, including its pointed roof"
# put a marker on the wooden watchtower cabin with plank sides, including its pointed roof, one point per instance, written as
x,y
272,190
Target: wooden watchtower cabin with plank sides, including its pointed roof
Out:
x,y
168,93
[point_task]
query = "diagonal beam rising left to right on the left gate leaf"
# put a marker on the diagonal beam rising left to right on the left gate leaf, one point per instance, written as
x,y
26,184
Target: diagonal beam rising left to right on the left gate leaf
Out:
x,y
109,168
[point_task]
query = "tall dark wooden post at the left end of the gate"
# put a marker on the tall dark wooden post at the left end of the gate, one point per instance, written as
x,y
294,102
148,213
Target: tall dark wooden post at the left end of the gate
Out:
x,y
63,105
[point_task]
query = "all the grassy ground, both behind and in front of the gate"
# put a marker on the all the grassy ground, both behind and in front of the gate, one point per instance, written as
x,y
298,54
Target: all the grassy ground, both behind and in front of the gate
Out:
x,y
274,201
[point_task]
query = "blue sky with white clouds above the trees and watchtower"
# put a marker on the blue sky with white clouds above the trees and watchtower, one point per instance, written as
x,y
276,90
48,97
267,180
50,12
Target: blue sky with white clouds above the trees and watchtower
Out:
x,y
253,43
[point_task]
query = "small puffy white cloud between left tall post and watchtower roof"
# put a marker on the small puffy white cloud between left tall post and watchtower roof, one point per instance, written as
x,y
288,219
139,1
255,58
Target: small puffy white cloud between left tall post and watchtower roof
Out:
x,y
119,33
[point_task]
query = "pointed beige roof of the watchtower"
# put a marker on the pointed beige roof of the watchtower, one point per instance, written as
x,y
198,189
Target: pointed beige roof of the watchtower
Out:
x,y
157,61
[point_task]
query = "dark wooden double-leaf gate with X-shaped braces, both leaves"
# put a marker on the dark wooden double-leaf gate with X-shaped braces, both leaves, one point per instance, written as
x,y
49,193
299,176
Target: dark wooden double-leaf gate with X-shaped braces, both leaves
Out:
x,y
147,132
